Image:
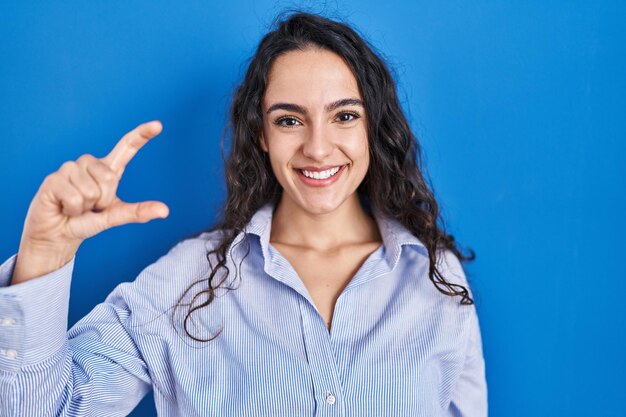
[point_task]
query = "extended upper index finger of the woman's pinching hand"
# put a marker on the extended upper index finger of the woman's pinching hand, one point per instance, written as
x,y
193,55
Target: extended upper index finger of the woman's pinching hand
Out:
x,y
130,144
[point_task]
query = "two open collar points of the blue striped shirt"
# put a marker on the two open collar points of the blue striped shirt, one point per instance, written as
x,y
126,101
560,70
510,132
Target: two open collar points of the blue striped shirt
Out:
x,y
393,233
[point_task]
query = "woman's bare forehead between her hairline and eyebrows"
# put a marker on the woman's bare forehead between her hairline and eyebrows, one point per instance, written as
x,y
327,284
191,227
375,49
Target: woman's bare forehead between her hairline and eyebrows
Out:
x,y
314,76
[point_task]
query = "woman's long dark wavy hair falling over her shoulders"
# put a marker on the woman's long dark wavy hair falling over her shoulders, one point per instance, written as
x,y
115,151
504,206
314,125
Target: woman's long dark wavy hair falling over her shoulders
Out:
x,y
394,185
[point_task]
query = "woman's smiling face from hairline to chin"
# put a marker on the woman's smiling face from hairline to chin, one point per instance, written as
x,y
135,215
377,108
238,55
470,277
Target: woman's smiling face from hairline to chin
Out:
x,y
315,130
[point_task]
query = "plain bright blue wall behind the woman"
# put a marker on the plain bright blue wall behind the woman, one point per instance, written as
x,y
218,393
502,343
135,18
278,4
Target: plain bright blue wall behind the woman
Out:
x,y
520,107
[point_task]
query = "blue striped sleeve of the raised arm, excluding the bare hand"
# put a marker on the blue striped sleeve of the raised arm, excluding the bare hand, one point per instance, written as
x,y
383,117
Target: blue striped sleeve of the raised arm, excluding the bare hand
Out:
x,y
94,369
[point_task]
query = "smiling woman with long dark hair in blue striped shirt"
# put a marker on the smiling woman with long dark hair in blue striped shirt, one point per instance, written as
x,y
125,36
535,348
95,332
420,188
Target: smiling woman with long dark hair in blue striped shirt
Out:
x,y
327,289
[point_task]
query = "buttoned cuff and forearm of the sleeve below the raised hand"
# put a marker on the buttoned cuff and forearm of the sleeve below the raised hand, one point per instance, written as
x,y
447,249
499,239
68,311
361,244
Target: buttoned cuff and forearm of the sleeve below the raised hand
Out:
x,y
33,316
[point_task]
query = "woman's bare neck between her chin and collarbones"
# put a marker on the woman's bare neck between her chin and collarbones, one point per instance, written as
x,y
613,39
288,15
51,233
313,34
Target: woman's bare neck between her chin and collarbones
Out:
x,y
347,225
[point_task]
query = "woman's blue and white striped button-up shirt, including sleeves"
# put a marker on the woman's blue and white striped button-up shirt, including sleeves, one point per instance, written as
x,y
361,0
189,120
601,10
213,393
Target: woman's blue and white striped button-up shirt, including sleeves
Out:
x,y
397,346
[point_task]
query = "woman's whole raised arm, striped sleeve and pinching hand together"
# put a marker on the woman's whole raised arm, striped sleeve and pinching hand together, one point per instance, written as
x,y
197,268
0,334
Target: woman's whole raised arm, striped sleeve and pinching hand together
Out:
x,y
96,368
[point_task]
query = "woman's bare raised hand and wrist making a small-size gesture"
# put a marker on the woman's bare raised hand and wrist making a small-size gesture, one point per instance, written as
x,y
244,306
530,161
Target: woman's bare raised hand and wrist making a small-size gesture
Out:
x,y
79,201
